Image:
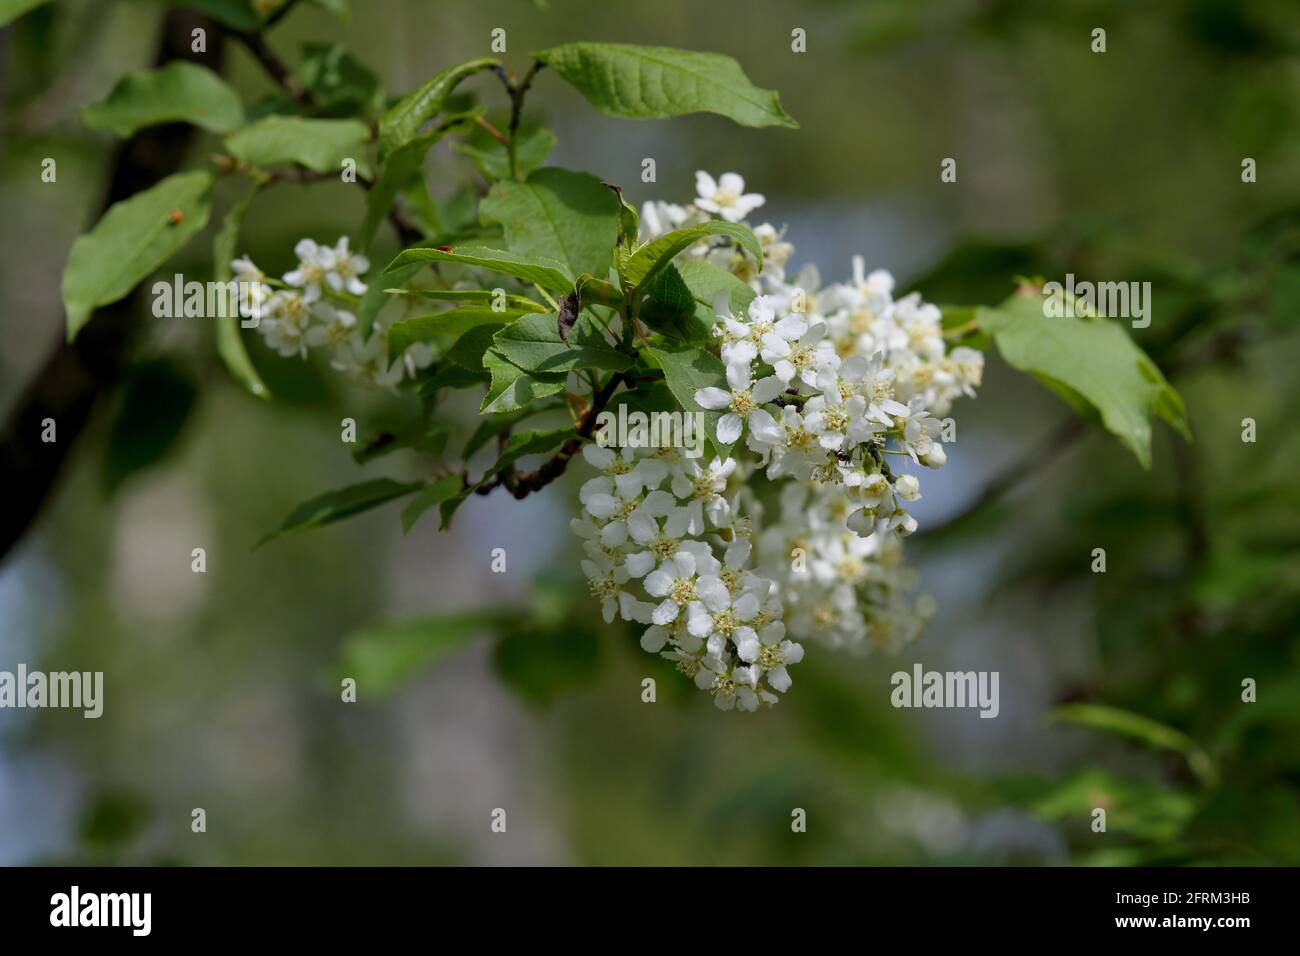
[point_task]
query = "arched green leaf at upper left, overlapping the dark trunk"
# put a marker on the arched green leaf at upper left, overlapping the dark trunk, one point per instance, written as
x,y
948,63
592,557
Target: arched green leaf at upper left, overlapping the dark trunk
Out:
x,y
177,93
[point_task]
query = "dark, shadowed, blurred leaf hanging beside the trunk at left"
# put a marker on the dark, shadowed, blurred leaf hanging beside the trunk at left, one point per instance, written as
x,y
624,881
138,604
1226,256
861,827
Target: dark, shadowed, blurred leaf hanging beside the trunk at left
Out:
x,y
157,403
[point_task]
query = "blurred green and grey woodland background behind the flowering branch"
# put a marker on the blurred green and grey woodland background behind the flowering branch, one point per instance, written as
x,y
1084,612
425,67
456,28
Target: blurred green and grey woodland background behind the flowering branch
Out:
x,y
222,689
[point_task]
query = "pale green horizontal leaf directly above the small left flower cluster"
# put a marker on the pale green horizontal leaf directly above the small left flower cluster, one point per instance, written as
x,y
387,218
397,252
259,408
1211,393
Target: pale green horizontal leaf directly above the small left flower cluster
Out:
x,y
319,145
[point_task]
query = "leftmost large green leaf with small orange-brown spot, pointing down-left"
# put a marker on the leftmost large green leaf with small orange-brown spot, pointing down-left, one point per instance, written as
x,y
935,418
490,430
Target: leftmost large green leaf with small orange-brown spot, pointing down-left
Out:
x,y
133,239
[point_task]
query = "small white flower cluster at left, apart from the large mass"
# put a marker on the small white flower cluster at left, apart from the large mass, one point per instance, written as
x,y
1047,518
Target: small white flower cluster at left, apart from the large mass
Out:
x,y
314,306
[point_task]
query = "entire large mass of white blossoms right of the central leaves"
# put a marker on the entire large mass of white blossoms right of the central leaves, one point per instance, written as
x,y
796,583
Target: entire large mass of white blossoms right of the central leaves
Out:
x,y
831,391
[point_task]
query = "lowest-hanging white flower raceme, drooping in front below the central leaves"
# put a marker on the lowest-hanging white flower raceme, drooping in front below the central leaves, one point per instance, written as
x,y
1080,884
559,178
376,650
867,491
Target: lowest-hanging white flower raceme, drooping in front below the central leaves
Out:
x,y
662,526
